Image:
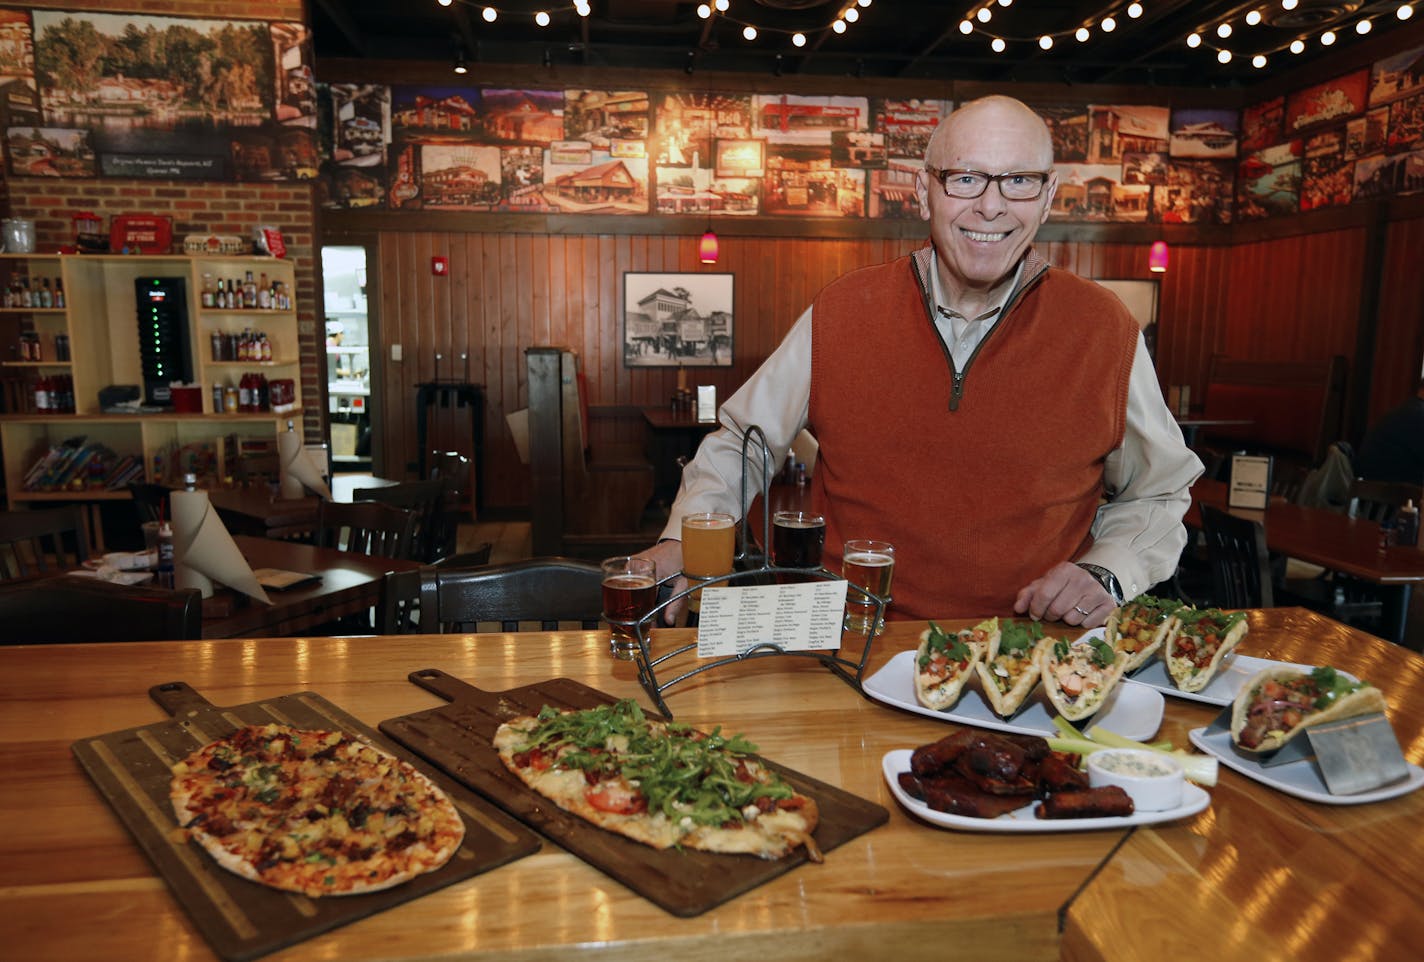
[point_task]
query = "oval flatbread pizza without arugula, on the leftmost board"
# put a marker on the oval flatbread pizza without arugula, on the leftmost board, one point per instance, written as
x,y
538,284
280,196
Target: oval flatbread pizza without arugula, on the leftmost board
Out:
x,y
318,813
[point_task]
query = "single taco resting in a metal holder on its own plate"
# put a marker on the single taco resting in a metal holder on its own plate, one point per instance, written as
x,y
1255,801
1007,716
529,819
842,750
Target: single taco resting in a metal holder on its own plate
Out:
x,y
1279,704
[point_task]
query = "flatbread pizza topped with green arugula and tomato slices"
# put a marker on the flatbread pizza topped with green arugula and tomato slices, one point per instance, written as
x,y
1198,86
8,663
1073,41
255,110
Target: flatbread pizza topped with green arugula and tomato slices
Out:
x,y
659,783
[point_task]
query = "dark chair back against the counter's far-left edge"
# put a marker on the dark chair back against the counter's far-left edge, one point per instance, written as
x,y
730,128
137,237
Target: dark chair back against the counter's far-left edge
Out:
x,y
85,610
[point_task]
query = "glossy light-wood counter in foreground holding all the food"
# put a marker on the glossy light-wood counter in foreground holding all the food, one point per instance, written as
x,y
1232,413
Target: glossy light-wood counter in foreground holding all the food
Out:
x,y
1258,876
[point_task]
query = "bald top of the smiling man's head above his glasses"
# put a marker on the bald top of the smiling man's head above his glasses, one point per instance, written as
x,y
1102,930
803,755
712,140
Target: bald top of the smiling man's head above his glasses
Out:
x,y
988,127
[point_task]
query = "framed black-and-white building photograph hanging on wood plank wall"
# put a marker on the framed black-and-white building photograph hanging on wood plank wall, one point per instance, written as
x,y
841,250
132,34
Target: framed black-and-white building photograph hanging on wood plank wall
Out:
x,y
677,319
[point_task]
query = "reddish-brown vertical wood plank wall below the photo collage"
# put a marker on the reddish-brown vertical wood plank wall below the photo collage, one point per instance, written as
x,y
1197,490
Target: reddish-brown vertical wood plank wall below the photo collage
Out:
x,y
1291,298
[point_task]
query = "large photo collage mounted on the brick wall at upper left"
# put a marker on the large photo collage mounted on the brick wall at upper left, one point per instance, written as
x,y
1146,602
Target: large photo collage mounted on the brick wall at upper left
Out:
x,y
93,95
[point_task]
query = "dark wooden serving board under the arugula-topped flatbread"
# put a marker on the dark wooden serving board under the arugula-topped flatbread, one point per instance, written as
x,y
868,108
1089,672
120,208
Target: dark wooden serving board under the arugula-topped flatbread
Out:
x,y
458,738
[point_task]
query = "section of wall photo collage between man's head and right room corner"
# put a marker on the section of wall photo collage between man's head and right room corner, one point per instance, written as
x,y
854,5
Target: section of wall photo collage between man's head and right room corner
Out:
x,y
1143,164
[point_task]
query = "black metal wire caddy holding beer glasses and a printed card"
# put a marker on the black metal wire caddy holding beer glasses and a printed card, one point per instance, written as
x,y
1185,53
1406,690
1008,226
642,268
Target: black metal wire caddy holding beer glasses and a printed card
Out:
x,y
755,569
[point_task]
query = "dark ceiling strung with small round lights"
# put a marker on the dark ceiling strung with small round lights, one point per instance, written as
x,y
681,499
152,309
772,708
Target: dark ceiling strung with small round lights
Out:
x,y
899,39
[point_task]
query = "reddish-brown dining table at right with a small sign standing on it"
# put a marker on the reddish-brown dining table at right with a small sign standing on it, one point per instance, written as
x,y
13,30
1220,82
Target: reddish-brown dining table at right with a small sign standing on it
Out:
x,y
1334,541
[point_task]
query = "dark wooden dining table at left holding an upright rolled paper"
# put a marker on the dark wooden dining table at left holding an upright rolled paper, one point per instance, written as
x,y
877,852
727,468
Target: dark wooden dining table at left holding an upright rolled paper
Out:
x,y
351,583
